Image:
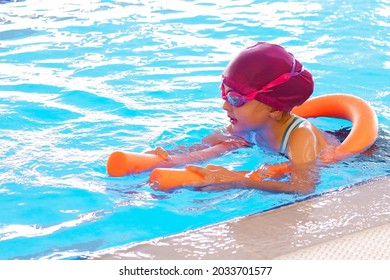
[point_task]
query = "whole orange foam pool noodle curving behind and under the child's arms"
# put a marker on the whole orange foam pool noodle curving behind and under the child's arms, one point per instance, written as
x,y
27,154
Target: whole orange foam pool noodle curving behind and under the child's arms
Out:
x,y
363,134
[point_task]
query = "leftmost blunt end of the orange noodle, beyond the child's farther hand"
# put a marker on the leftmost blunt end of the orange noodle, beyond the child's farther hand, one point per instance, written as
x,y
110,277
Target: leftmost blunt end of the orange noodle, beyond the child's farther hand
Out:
x,y
122,164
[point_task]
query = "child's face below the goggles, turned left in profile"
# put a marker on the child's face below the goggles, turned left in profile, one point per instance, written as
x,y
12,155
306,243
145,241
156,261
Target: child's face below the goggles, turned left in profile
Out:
x,y
253,115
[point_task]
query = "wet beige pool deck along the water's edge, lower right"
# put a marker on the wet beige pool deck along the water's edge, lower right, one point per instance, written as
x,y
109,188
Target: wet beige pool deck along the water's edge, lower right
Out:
x,y
350,224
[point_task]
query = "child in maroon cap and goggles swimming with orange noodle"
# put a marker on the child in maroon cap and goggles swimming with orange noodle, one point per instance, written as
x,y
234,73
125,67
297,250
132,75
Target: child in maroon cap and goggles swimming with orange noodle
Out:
x,y
260,86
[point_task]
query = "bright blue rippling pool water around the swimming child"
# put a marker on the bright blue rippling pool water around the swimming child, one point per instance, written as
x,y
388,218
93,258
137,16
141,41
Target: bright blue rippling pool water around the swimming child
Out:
x,y
81,79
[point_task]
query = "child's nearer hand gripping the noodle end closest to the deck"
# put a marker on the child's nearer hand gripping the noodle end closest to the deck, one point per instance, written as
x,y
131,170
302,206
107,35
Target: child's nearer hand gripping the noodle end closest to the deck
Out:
x,y
216,176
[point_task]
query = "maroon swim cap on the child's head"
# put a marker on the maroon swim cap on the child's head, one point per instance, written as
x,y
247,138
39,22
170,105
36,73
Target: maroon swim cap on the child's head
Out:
x,y
256,66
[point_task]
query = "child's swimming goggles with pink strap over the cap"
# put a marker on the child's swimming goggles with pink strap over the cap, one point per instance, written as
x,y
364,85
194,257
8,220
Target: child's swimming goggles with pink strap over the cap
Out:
x,y
237,99
